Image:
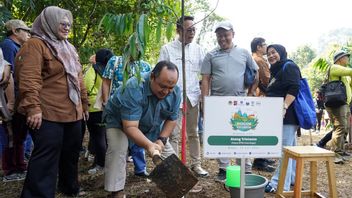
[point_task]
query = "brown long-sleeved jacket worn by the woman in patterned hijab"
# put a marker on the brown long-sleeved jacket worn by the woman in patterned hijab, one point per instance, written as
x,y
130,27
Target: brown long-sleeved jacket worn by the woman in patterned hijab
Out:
x,y
42,85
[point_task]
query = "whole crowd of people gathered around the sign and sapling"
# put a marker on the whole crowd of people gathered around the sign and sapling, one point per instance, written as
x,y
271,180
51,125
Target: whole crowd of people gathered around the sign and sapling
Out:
x,y
53,98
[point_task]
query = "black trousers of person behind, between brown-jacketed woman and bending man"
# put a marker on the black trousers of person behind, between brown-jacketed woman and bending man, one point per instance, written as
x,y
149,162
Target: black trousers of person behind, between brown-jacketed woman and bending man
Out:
x,y
97,137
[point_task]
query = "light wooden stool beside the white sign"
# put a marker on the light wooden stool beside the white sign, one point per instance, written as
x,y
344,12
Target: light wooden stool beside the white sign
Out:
x,y
313,154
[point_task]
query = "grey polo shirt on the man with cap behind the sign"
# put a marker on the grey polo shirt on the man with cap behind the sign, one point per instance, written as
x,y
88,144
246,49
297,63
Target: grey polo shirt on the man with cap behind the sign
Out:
x,y
227,70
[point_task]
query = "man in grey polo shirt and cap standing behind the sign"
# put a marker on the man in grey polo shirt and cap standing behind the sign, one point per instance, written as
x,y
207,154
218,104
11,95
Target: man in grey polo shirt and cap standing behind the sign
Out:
x,y
223,75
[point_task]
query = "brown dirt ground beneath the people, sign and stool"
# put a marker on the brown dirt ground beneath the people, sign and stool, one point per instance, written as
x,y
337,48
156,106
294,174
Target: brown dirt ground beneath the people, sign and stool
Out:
x,y
137,187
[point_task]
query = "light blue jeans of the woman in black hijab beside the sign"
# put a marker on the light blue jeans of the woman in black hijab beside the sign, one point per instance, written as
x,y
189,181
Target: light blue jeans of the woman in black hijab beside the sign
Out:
x,y
288,139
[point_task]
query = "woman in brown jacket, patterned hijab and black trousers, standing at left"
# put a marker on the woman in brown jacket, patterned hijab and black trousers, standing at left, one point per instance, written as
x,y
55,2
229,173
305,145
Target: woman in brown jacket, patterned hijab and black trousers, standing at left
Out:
x,y
52,101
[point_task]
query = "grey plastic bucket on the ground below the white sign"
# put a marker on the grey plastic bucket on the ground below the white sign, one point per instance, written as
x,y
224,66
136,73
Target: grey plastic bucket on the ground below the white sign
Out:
x,y
254,187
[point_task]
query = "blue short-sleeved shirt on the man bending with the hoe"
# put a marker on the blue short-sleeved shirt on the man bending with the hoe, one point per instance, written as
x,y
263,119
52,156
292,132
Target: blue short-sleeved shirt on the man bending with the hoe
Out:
x,y
137,103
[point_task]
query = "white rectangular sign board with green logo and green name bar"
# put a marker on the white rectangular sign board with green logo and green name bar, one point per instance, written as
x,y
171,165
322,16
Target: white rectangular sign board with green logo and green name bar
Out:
x,y
242,127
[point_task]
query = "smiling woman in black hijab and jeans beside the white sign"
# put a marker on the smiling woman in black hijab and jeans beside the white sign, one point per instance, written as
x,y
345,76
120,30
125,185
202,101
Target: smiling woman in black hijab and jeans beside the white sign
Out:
x,y
284,82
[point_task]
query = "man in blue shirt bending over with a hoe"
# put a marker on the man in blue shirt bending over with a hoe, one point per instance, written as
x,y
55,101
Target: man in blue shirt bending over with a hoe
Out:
x,y
145,114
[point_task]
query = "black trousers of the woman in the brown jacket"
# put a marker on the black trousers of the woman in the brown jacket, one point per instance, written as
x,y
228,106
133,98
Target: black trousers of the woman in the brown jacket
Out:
x,y
55,153
